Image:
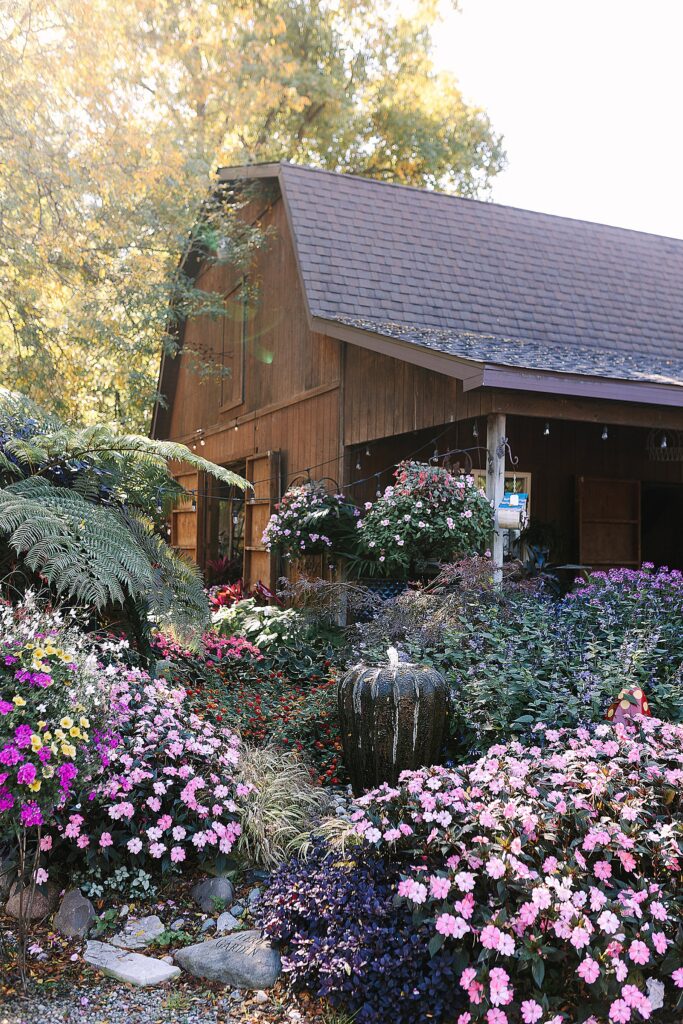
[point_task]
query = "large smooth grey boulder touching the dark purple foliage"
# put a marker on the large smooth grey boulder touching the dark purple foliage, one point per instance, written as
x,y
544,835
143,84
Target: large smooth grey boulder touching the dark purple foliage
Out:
x,y
244,960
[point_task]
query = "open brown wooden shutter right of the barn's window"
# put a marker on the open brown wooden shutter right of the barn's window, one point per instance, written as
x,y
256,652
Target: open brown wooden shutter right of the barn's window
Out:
x,y
264,473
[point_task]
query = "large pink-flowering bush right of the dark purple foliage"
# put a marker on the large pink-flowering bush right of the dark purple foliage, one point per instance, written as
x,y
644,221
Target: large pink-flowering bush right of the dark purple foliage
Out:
x,y
553,872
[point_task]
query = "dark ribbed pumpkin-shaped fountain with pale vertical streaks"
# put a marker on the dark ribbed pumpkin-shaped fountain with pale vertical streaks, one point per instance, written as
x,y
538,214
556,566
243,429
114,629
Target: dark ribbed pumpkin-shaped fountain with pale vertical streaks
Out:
x,y
392,720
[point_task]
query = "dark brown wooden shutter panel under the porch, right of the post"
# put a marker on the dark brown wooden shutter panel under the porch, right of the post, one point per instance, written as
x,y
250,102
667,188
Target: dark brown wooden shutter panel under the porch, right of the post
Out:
x,y
609,523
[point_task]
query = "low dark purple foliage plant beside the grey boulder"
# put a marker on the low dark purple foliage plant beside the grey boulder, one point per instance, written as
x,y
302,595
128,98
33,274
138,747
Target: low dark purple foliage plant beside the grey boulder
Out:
x,y
345,940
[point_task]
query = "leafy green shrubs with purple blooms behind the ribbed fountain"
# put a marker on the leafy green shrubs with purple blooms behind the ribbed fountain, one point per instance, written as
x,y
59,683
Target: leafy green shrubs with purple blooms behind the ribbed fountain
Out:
x,y
518,657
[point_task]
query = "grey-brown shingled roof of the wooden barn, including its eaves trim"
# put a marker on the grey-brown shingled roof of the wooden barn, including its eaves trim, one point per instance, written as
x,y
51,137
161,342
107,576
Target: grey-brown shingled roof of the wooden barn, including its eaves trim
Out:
x,y
492,294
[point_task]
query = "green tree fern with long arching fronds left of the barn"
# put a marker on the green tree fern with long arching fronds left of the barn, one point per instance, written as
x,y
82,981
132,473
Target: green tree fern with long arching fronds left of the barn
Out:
x,y
77,507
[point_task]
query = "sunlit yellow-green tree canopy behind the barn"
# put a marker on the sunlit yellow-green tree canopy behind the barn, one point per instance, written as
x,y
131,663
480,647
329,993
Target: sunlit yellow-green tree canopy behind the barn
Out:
x,y
113,120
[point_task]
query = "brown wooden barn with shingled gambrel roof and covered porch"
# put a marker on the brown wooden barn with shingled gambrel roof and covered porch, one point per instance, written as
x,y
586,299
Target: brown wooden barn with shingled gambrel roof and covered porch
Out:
x,y
395,322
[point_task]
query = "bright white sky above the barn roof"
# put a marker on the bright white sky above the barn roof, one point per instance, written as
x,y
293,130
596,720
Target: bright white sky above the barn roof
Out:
x,y
589,98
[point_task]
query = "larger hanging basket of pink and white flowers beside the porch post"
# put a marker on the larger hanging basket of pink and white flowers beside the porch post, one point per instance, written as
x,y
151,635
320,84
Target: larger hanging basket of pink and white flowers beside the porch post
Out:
x,y
429,516
